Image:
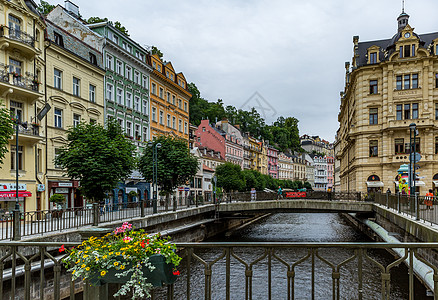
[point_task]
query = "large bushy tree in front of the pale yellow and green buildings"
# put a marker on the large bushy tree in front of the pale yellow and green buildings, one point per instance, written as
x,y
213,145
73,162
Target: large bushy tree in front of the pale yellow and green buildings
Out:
x,y
98,156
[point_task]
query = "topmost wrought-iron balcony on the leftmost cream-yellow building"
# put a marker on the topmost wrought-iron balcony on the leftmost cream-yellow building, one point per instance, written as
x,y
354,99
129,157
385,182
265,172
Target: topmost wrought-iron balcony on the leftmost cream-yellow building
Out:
x,y
17,39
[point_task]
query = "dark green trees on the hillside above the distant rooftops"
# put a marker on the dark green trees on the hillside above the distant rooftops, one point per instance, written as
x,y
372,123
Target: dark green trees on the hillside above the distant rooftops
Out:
x,y
283,133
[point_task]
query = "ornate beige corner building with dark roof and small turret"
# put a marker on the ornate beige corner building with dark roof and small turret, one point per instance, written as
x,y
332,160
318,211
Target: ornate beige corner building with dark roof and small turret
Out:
x,y
391,84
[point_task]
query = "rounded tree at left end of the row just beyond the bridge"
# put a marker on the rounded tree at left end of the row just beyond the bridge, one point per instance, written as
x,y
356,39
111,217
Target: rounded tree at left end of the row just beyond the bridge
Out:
x,y
230,177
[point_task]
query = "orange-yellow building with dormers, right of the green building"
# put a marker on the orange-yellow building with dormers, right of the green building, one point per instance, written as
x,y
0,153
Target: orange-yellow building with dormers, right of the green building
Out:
x,y
169,100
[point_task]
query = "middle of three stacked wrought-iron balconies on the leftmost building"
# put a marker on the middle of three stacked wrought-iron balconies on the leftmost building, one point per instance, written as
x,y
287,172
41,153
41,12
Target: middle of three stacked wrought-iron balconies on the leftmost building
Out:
x,y
25,86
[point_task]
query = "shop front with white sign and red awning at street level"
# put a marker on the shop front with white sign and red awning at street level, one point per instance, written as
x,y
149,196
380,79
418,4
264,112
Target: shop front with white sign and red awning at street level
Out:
x,y
8,196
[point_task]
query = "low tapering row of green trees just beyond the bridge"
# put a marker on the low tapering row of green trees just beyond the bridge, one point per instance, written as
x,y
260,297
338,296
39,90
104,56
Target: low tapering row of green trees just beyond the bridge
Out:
x,y
230,177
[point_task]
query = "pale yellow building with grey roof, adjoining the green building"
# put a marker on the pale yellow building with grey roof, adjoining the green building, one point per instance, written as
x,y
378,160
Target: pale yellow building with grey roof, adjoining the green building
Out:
x,y
75,77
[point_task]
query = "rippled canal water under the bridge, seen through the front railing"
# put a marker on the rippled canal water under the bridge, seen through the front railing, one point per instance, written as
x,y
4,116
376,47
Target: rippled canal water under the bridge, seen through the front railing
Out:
x,y
297,227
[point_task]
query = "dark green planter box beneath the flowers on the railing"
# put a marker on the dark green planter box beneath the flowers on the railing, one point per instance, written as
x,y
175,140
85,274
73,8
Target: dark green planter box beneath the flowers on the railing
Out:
x,y
162,274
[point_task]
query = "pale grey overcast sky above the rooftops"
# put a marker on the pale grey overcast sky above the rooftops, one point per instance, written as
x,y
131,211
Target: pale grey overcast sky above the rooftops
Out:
x,y
291,53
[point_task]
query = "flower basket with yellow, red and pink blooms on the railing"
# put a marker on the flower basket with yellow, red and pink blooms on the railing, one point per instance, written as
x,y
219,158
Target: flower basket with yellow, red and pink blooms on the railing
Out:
x,y
133,258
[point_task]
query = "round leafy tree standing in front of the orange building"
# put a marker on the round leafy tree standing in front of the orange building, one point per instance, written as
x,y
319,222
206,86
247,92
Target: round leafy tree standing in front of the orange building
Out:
x,y
176,165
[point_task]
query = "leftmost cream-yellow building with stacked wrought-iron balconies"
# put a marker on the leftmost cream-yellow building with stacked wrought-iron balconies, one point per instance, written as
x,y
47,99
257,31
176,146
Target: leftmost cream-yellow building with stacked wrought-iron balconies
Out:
x,y
22,91
